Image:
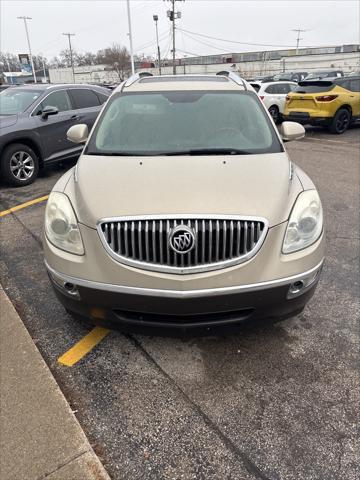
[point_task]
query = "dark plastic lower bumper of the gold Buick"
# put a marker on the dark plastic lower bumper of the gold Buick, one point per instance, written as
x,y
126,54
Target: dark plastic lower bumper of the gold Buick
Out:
x,y
205,314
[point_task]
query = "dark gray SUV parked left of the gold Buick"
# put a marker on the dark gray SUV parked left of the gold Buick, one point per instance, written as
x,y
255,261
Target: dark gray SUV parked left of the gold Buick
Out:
x,y
34,120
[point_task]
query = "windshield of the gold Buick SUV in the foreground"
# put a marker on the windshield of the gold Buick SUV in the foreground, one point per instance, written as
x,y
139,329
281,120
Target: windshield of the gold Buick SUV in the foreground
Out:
x,y
183,122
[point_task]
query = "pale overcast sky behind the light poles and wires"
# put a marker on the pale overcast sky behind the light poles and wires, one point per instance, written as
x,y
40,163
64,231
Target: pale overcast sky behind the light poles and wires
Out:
x,y
98,24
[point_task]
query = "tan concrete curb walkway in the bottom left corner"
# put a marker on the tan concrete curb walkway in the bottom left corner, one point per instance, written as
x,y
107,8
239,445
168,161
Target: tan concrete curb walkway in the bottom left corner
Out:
x,y
40,435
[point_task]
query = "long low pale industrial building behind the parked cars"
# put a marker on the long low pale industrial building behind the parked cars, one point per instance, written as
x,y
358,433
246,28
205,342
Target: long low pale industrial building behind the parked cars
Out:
x,y
247,64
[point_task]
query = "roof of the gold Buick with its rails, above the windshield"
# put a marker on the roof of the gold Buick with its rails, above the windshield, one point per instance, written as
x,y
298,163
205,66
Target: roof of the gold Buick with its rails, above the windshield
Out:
x,y
146,83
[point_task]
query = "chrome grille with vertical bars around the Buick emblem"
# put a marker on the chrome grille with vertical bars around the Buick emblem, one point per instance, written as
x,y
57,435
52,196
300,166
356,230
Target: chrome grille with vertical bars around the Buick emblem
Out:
x,y
219,241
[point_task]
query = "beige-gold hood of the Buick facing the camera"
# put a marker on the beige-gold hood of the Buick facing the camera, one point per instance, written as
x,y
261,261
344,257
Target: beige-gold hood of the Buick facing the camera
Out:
x,y
254,185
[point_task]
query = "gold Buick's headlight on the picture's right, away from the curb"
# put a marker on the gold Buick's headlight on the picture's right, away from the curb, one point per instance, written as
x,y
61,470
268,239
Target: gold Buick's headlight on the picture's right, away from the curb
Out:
x,y
305,223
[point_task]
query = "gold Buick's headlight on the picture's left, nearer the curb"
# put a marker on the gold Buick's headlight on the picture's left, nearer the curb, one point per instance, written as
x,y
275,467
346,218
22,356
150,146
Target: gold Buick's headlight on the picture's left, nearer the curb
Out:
x,y
61,225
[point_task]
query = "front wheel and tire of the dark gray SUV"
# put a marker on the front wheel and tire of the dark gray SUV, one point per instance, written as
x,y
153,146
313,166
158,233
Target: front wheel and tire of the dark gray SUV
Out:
x,y
19,165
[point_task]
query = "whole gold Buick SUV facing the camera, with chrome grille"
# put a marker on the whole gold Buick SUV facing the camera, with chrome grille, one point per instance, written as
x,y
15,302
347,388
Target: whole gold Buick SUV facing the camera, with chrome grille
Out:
x,y
184,211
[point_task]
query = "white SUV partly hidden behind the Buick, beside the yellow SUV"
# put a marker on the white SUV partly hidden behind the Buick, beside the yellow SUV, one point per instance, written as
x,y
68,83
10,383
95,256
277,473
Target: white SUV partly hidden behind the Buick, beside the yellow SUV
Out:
x,y
273,94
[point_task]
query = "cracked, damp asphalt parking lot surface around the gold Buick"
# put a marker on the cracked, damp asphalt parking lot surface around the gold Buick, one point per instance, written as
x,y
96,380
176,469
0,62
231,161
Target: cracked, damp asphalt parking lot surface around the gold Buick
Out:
x,y
272,402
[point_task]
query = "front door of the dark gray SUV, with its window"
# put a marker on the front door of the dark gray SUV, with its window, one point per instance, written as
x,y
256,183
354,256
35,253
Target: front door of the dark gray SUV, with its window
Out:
x,y
52,130
